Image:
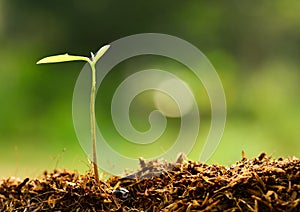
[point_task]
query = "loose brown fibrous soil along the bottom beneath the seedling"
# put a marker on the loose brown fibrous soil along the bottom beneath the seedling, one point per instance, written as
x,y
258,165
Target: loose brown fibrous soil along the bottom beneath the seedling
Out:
x,y
258,184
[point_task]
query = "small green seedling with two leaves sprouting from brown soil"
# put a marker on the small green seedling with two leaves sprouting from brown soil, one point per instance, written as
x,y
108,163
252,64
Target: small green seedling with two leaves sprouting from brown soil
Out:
x,y
92,62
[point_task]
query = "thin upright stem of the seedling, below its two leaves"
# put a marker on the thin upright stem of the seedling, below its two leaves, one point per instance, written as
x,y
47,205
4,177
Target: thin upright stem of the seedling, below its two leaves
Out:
x,y
93,124
